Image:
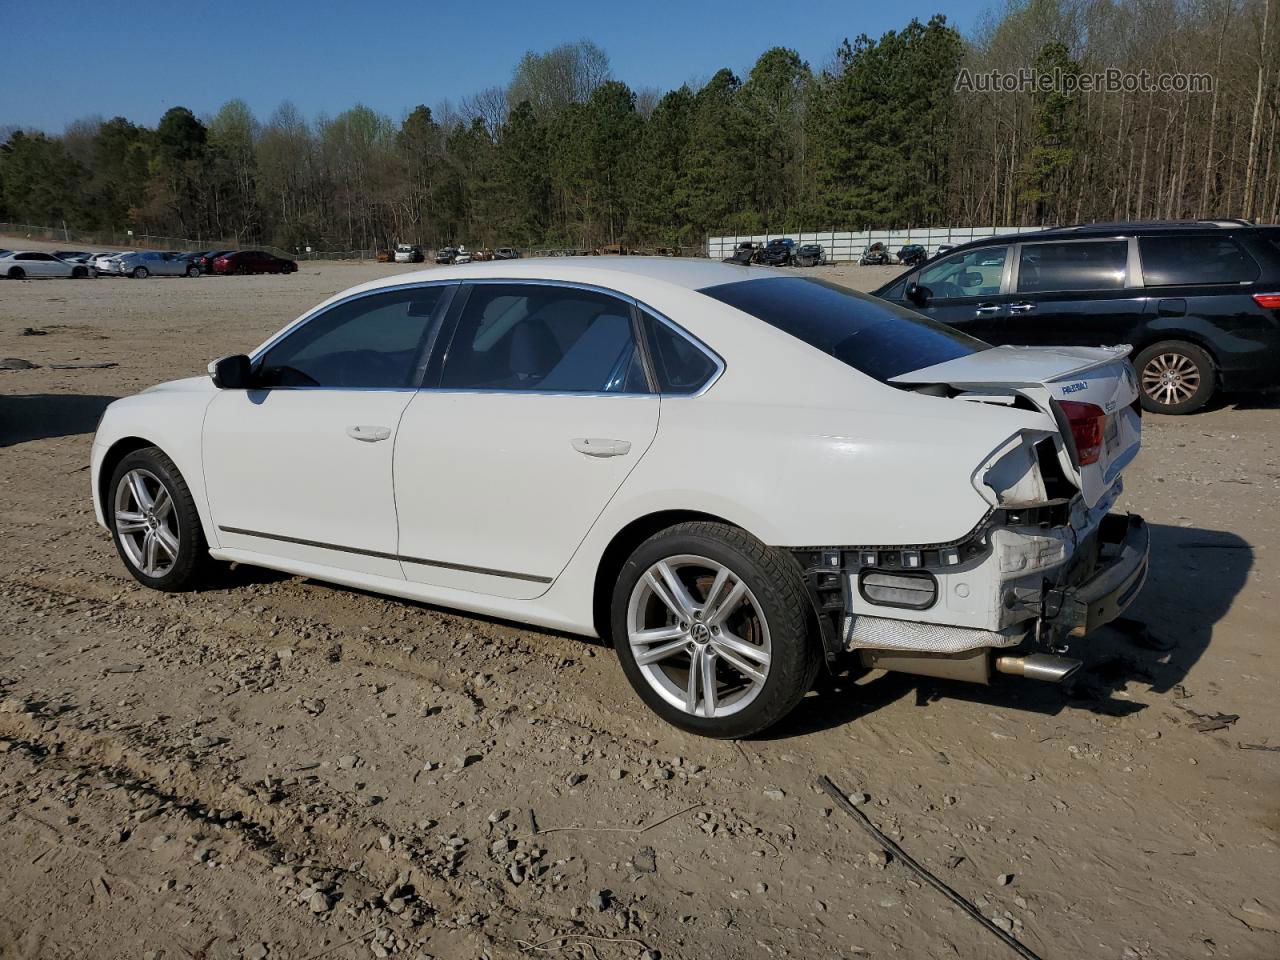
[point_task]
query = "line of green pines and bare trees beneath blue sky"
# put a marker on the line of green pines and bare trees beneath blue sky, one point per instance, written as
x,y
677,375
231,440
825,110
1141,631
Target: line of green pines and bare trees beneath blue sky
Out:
x,y
566,156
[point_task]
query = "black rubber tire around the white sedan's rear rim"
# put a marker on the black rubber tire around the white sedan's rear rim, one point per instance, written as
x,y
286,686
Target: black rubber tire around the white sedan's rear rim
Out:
x,y
775,584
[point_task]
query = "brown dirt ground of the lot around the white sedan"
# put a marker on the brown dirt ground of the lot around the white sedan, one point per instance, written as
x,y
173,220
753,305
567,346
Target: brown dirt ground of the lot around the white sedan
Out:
x,y
281,769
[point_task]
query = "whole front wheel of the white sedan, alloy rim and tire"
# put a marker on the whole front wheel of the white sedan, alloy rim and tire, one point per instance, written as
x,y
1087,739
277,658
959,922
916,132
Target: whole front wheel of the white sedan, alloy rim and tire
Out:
x,y
156,524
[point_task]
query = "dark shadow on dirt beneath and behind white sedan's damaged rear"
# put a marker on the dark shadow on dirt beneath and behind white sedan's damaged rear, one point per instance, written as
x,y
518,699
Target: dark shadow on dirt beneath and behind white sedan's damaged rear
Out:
x,y
1195,578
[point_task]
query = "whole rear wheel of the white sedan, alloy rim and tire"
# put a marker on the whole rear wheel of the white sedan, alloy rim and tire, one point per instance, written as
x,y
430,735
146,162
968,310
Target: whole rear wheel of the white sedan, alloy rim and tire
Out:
x,y
712,630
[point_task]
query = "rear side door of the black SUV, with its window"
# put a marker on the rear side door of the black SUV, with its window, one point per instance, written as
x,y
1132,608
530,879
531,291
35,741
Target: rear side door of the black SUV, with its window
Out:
x,y
1080,294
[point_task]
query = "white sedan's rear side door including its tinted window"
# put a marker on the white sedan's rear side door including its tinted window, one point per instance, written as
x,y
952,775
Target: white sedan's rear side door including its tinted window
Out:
x,y
540,410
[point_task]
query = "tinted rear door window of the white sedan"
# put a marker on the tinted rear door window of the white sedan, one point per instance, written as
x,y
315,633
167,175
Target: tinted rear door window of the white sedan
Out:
x,y
541,337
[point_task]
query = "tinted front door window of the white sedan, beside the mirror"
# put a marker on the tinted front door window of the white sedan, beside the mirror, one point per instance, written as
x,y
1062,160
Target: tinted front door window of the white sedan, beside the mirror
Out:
x,y
374,342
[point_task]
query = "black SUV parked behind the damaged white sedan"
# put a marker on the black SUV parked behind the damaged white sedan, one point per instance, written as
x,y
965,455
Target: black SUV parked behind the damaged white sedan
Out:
x,y
1200,301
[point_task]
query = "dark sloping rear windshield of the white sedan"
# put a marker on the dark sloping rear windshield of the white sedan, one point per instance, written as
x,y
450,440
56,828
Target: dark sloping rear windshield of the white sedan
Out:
x,y
881,340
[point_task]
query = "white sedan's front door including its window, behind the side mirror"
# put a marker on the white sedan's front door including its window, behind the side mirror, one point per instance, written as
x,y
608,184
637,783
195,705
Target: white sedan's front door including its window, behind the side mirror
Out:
x,y
300,467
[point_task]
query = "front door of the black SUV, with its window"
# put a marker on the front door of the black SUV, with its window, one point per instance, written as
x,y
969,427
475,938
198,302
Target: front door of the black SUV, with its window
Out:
x,y
967,290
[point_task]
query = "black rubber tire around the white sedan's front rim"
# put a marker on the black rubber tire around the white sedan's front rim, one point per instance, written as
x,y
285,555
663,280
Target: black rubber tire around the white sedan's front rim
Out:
x,y
190,569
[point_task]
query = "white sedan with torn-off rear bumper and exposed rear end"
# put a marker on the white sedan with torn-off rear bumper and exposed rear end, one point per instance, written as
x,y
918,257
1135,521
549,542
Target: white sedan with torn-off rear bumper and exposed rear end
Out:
x,y
738,476
